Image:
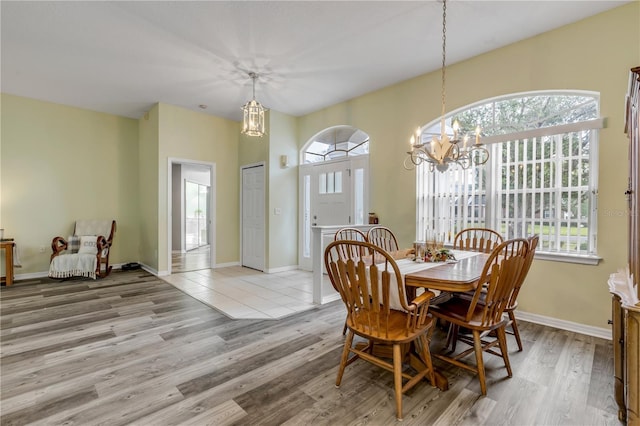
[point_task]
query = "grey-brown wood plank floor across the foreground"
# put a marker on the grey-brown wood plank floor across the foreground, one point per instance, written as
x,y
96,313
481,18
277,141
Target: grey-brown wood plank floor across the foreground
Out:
x,y
132,349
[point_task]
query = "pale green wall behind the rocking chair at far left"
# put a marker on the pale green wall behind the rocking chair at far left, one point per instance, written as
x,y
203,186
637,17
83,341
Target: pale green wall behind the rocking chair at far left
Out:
x,y
60,164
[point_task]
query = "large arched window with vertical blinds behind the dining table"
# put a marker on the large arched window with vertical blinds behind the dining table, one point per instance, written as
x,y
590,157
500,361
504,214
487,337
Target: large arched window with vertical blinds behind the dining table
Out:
x,y
541,177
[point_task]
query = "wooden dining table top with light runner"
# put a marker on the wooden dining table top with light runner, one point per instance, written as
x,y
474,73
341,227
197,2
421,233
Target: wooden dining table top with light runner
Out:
x,y
460,276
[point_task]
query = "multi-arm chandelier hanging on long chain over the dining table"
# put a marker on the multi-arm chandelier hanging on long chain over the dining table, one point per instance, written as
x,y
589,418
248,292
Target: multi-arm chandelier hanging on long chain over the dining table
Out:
x,y
448,148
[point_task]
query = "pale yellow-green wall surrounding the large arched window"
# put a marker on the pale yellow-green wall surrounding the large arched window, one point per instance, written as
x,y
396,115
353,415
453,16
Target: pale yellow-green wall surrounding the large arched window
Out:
x,y
594,54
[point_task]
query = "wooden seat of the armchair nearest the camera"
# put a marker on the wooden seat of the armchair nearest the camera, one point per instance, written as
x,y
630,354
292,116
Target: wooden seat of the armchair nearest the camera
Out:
x,y
393,331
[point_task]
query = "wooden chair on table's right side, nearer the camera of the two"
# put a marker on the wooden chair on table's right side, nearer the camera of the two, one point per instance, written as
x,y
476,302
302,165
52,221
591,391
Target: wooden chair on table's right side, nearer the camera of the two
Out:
x,y
501,273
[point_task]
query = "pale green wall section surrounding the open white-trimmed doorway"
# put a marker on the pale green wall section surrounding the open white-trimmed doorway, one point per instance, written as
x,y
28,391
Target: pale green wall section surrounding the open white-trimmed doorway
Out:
x,y
189,135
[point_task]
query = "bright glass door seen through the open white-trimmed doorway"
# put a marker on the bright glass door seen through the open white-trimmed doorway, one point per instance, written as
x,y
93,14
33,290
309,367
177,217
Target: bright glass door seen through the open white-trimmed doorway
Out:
x,y
196,226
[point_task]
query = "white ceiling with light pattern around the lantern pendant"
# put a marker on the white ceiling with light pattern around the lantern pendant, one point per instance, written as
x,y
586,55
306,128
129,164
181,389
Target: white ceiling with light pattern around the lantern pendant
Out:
x,y
122,57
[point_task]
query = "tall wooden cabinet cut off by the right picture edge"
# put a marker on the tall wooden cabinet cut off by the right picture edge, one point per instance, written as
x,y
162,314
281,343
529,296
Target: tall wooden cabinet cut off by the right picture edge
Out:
x,y
626,317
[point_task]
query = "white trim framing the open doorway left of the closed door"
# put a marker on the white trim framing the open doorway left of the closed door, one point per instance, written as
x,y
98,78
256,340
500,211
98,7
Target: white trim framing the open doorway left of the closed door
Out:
x,y
211,231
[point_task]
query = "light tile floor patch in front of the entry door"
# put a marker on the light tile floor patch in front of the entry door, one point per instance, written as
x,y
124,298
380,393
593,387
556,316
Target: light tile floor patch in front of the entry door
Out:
x,y
245,293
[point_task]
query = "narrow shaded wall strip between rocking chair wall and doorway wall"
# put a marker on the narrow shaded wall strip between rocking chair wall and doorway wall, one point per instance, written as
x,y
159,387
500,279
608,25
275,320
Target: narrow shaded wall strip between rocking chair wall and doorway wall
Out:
x,y
147,202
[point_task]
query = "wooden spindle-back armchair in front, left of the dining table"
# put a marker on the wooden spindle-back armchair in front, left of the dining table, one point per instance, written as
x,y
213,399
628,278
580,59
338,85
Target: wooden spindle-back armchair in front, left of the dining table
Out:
x,y
366,286
